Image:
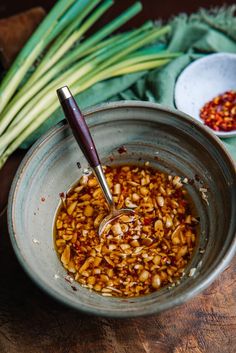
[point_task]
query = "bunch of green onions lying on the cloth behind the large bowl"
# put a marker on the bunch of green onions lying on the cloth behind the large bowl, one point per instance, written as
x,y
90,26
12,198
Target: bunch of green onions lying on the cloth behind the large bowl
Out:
x,y
71,57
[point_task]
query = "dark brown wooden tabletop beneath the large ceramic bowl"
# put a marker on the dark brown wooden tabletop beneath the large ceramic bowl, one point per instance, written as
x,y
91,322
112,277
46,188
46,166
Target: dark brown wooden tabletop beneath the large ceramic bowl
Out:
x,y
31,322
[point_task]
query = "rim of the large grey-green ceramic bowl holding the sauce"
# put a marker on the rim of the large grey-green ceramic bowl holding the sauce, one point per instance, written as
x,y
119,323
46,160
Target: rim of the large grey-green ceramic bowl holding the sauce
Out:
x,y
183,297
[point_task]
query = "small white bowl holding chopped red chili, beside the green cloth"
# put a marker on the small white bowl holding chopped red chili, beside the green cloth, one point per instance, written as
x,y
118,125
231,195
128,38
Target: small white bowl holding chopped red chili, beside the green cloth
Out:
x,y
203,80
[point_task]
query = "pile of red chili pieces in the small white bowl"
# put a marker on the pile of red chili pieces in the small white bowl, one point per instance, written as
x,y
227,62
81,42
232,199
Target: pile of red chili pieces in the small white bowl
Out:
x,y
220,113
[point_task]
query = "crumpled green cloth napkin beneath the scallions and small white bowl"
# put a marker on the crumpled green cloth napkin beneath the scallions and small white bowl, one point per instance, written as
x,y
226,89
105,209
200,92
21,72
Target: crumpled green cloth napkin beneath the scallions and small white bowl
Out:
x,y
202,33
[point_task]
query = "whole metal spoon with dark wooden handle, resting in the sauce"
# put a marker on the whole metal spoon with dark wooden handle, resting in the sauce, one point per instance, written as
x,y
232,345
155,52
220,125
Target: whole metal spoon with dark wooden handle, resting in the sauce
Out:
x,y
83,137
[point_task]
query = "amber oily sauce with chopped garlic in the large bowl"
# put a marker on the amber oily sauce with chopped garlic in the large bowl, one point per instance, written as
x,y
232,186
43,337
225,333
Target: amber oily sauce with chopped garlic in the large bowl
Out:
x,y
136,254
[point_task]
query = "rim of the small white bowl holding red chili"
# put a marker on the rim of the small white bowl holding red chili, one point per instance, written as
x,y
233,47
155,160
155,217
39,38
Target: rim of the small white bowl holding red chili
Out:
x,y
189,67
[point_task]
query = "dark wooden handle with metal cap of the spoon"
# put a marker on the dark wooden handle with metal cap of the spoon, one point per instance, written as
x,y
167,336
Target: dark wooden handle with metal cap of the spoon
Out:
x,y
78,125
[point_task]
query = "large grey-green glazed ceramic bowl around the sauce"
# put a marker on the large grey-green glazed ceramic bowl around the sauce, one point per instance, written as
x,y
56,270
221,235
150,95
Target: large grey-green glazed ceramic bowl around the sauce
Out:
x,y
172,142
